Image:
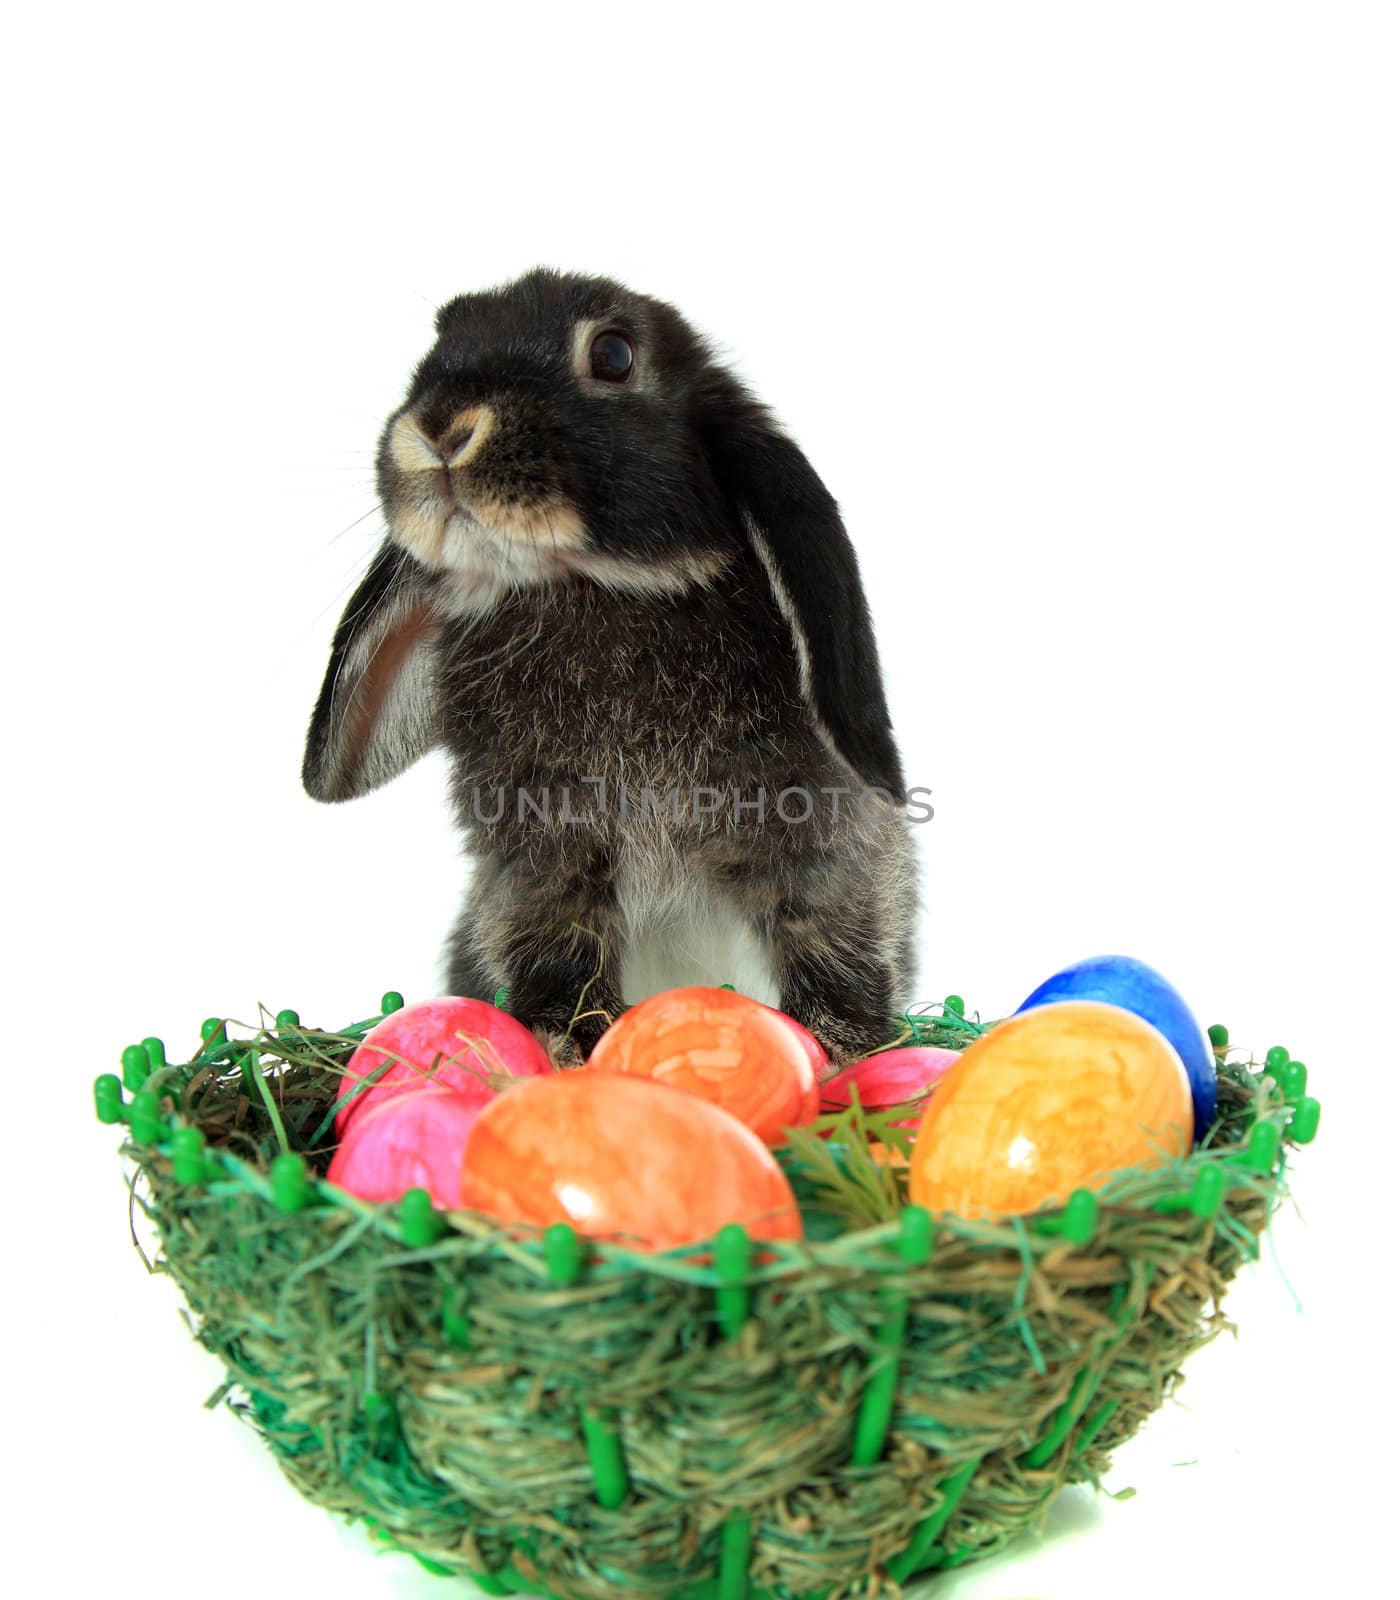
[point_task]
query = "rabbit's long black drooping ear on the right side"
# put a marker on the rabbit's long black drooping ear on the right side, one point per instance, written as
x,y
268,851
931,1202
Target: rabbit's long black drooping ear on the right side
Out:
x,y
812,567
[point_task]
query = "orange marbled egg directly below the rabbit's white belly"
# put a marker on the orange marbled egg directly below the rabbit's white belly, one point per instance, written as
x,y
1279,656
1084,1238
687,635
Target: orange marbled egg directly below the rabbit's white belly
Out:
x,y
726,1049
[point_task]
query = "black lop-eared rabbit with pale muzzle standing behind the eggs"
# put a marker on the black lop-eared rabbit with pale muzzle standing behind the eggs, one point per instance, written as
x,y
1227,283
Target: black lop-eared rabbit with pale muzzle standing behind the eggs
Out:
x,y
622,599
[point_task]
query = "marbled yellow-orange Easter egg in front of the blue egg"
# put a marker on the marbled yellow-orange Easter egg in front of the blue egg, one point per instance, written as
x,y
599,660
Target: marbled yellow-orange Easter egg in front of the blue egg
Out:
x,y
1046,1103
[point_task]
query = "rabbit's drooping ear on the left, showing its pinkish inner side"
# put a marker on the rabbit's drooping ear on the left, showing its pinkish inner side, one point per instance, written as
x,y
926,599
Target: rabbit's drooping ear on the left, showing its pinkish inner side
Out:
x,y
378,710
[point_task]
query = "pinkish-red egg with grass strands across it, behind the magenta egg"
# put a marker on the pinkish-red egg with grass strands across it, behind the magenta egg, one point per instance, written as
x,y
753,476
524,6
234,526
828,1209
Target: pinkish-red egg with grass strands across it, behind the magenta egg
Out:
x,y
455,1044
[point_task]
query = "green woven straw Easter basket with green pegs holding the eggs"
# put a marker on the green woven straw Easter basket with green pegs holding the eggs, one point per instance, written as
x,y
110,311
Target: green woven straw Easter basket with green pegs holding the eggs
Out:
x,y
550,1415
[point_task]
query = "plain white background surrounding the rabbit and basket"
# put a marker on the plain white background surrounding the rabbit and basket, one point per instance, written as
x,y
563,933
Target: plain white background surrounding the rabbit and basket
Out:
x,y
1089,318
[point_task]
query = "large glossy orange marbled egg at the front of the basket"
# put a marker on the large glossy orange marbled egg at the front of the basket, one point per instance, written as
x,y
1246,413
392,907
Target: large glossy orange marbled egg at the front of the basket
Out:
x,y
625,1159
